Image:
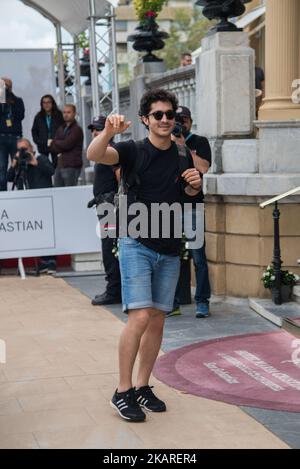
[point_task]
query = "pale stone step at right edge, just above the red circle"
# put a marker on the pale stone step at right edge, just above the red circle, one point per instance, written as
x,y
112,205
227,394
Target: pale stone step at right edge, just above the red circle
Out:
x,y
275,313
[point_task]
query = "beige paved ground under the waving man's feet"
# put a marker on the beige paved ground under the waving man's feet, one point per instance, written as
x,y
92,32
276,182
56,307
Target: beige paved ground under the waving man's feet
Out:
x,y
61,371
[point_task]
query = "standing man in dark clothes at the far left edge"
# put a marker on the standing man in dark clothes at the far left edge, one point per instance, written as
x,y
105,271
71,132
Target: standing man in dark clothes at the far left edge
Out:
x,y
12,112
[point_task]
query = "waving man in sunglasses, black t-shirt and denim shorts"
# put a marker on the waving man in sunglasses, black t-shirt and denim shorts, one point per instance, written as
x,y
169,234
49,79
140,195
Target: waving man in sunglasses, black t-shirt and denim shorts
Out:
x,y
150,265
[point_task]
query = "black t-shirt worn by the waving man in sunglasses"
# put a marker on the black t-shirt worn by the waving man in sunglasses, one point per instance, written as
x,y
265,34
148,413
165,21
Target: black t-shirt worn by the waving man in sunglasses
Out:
x,y
159,182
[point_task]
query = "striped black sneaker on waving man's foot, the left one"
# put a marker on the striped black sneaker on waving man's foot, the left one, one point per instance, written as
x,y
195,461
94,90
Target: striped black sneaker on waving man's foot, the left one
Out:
x,y
125,403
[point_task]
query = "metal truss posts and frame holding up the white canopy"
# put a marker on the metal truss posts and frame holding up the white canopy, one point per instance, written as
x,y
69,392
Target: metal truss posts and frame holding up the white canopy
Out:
x,y
76,16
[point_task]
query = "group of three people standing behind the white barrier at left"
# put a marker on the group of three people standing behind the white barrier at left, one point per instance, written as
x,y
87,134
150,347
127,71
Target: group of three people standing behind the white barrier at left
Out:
x,y
56,134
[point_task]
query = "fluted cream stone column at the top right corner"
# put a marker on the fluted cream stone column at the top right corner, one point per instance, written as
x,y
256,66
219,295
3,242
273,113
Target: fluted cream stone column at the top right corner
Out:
x,y
282,60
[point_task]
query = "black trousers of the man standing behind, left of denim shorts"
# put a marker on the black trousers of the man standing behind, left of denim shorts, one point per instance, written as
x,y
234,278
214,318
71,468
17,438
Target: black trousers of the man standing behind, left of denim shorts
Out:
x,y
111,267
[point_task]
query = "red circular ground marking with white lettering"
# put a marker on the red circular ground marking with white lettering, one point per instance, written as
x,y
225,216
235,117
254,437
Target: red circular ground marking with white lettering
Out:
x,y
257,370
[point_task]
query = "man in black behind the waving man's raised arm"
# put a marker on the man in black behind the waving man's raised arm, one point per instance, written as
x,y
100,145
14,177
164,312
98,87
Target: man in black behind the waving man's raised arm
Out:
x,y
105,187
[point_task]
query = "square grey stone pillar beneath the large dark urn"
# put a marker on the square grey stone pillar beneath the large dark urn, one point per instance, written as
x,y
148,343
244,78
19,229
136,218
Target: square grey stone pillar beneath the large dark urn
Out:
x,y
225,86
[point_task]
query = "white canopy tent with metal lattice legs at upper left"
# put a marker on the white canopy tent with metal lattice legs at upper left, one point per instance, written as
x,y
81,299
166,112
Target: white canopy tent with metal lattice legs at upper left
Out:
x,y
76,16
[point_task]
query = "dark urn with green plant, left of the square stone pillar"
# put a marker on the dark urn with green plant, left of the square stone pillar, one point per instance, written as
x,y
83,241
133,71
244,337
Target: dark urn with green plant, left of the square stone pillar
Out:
x,y
148,38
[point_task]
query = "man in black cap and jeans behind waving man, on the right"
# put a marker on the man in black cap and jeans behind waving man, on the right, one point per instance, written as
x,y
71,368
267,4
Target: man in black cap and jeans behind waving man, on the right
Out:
x,y
201,153
